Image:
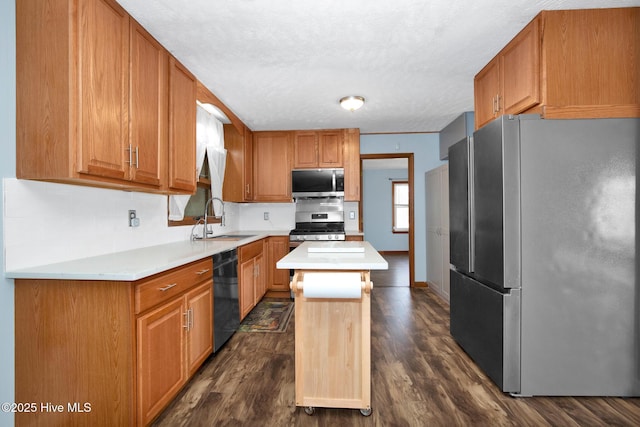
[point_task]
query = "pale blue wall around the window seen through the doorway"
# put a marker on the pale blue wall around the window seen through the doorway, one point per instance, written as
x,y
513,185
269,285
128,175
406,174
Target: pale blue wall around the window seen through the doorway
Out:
x,y
377,209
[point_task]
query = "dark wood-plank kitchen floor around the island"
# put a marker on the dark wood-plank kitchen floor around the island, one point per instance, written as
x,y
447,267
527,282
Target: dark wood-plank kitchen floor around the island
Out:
x,y
419,377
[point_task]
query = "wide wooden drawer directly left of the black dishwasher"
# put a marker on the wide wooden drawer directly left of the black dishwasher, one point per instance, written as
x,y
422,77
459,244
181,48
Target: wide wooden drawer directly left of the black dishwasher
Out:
x,y
167,285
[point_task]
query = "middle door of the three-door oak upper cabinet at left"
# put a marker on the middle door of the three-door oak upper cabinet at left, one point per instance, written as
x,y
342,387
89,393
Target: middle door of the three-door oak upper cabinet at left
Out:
x,y
147,107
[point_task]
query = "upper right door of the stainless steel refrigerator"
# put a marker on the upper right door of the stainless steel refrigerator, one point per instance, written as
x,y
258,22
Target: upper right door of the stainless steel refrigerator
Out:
x,y
496,198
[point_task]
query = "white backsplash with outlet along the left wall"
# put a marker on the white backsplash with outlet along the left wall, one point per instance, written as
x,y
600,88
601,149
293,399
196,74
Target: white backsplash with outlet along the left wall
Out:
x,y
47,223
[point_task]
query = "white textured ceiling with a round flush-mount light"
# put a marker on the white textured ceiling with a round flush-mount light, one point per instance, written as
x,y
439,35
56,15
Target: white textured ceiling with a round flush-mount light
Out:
x,y
284,64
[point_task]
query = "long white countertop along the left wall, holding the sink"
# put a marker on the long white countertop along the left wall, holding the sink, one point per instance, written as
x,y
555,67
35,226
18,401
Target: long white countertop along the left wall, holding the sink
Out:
x,y
137,264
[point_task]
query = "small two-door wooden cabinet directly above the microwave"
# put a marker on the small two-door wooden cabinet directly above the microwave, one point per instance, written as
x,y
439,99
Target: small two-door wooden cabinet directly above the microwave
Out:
x,y
317,149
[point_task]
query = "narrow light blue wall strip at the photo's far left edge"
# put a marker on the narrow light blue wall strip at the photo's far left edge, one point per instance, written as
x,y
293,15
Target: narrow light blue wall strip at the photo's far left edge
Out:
x,y
7,168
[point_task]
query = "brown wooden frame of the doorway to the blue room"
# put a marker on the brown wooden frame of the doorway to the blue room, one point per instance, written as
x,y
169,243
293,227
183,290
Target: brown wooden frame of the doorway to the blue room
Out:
x,y
389,159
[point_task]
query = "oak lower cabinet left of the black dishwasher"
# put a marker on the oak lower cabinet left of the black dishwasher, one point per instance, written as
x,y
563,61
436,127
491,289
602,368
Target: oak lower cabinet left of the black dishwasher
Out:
x,y
123,348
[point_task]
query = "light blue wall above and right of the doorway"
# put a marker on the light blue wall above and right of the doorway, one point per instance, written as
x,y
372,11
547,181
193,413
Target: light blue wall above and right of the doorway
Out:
x,y
425,147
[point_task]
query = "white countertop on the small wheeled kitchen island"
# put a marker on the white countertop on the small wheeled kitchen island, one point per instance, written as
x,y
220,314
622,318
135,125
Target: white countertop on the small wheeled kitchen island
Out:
x,y
334,256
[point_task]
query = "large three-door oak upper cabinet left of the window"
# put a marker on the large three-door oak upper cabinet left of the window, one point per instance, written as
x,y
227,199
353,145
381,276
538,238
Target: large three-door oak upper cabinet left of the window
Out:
x,y
92,99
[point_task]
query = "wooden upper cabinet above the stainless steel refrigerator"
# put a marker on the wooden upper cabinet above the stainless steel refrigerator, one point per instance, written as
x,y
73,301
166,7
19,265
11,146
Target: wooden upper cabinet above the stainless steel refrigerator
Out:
x,y
566,64
